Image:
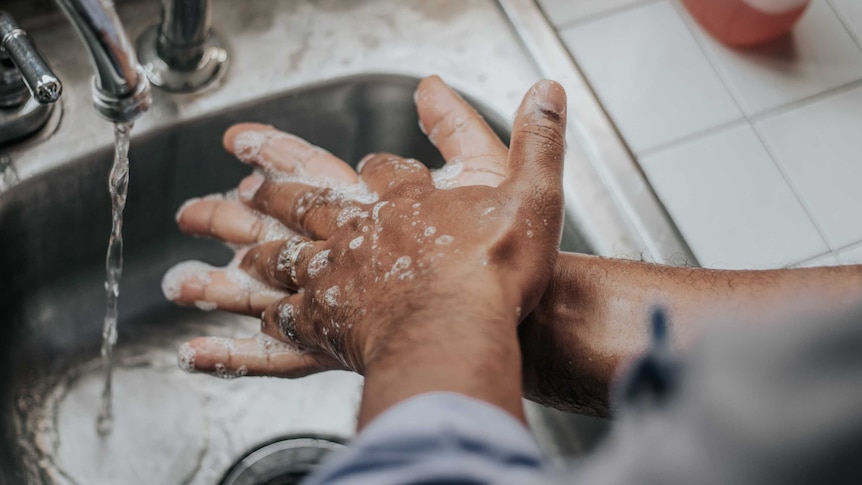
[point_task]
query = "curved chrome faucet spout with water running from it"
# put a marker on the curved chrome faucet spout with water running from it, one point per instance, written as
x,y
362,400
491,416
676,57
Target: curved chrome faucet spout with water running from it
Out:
x,y
121,92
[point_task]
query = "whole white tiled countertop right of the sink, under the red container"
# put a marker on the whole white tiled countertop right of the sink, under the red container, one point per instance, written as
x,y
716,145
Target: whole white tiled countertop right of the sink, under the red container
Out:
x,y
756,154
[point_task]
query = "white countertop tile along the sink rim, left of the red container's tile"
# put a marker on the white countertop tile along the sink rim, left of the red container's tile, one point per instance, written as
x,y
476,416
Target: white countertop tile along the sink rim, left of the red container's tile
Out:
x,y
650,75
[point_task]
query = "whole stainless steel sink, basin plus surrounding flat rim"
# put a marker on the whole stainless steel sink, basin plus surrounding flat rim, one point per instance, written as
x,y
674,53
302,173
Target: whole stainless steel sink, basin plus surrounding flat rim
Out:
x,y
303,66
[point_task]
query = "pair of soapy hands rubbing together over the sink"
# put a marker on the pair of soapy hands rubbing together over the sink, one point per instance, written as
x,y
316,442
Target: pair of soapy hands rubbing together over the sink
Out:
x,y
375,258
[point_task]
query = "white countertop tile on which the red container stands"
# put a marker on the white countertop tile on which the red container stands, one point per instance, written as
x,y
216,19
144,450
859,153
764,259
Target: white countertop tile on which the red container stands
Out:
x,y
820,55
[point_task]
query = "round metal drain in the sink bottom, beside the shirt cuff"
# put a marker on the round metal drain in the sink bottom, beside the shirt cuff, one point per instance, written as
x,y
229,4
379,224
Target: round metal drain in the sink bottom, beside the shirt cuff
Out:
x,y
285,461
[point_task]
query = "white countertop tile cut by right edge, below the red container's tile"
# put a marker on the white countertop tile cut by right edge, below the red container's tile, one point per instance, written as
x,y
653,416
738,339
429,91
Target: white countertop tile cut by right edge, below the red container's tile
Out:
x,y
819,147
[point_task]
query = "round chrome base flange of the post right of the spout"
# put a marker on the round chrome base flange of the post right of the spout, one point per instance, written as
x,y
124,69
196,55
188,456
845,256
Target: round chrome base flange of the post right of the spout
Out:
x,y
211,67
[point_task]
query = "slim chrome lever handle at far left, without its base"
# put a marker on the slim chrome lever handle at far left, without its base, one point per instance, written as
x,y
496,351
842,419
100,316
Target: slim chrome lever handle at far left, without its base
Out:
x,y
16,45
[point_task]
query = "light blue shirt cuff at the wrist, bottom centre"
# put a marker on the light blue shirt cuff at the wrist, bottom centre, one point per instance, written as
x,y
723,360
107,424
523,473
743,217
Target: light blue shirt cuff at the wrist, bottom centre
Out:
x,y
438,437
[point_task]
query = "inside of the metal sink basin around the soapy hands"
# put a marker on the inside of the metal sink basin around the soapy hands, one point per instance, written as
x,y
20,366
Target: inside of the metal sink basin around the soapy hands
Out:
x,y
170,427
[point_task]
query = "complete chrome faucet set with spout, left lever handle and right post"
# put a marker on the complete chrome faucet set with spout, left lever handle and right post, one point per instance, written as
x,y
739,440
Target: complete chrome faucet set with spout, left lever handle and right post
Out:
x,y
180,53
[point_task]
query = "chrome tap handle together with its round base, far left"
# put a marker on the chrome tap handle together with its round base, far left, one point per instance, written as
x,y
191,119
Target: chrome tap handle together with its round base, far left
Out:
x,y
28,88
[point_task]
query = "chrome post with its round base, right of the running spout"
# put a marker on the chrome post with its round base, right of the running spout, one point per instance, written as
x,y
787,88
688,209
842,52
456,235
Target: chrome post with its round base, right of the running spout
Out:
x,y
181,52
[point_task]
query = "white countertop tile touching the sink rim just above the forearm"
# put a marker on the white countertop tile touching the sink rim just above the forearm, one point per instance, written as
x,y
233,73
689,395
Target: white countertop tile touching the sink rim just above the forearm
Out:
x,y
733,221
